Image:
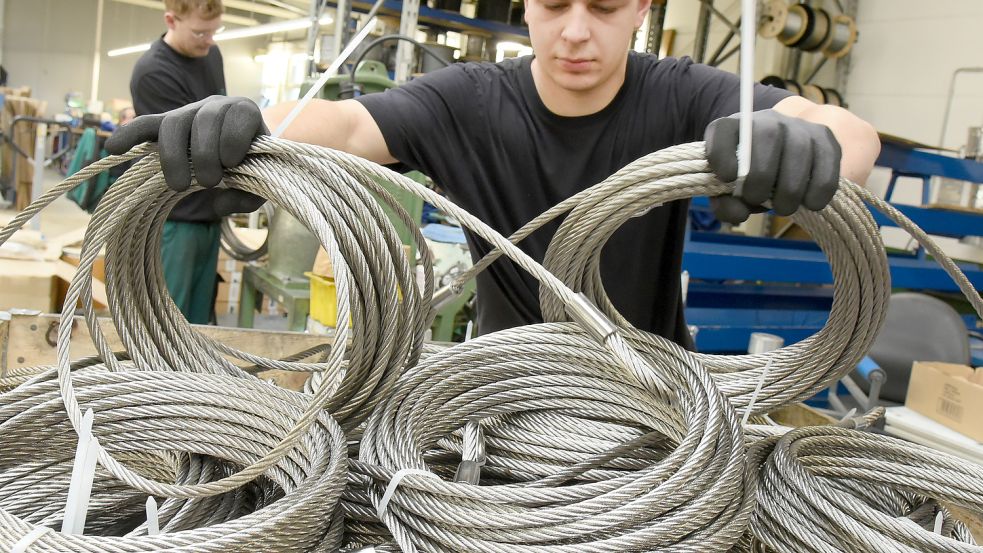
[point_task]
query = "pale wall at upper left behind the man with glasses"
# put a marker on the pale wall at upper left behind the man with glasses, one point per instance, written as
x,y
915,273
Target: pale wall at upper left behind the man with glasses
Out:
x,y
49,46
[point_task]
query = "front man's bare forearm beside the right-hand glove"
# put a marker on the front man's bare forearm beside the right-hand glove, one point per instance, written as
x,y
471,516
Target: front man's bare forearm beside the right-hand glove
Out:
x,y
858,139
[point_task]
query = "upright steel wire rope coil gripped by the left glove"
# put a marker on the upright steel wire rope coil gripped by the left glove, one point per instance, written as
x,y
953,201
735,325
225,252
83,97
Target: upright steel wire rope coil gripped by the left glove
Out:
x,y
387,331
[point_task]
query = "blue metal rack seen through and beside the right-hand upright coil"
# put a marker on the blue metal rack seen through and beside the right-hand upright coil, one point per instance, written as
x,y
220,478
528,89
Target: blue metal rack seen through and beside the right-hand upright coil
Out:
x,y
727,299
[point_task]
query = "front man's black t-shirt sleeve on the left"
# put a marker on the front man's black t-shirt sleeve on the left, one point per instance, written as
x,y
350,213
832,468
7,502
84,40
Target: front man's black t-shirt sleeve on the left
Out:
x,y
428,116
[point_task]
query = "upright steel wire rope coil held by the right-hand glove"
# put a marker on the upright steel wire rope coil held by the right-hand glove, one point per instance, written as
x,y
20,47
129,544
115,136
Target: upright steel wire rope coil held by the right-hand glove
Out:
x,y
845,231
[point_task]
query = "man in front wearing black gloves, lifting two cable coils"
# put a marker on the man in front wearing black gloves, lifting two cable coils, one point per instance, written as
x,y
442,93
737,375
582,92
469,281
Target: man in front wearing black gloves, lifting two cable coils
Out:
x,y
509,140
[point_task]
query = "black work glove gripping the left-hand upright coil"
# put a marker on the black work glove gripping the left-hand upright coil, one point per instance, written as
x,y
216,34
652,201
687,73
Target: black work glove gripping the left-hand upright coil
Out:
x,y
207,136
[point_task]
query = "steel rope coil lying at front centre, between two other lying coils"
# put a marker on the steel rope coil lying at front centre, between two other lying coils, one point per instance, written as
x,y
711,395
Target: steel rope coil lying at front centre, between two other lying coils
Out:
x,y
692,495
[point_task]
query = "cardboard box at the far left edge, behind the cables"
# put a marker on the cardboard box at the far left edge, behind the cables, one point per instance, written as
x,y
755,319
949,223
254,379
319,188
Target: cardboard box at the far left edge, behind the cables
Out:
x,y
27,285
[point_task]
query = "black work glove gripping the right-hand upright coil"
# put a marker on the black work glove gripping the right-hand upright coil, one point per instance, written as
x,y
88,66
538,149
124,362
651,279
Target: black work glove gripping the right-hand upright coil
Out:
x,y
793,163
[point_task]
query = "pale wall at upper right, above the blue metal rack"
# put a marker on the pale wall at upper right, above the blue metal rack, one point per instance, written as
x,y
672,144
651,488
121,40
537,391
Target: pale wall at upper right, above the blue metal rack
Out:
x,y
902,66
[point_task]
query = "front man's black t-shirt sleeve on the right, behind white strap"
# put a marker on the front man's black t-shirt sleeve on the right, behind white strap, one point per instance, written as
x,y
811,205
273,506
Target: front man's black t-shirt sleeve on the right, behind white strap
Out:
x,y
706,93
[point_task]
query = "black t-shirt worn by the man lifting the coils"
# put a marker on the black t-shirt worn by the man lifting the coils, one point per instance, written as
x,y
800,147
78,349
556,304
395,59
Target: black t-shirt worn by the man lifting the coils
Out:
x,y
483,134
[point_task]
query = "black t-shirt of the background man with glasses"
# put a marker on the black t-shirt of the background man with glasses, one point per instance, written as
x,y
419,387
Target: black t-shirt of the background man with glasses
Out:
x,y
163,80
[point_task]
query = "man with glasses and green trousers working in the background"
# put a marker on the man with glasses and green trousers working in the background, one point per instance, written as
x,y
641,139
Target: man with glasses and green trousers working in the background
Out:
x,y
183,66
